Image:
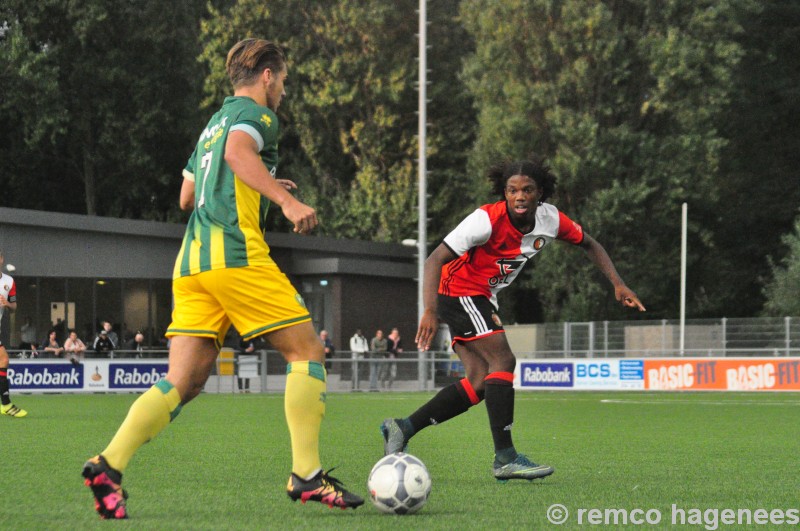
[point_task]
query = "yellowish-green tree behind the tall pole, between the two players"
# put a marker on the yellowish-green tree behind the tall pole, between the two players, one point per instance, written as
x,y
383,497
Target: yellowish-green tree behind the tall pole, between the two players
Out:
x,y
349,122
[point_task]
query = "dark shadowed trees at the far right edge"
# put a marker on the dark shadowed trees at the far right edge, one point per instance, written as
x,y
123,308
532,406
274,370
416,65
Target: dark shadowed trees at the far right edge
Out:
x,y
760,193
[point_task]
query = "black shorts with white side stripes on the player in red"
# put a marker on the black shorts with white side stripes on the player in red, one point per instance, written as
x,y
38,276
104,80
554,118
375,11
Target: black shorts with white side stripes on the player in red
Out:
x,y
469,318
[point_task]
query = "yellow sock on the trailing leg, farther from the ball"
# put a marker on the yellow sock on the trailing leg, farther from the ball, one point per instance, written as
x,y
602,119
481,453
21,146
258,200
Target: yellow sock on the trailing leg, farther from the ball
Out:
x,y
147,417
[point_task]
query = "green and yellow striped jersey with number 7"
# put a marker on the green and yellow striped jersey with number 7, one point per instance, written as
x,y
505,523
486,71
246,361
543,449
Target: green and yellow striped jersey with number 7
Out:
x,y
226,228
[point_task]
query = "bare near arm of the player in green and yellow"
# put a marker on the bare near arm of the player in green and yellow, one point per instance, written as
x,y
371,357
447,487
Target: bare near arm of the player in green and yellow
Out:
x,y
241,154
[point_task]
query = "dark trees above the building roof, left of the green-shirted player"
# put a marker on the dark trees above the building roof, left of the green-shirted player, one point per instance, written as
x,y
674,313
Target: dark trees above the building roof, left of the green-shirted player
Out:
x,y
104,96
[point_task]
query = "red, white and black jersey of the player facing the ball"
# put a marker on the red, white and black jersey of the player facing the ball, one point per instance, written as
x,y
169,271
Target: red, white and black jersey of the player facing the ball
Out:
x,y
491,251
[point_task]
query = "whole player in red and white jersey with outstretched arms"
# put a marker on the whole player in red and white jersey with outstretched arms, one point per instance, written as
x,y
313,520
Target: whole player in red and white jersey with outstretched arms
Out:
x,y
463,275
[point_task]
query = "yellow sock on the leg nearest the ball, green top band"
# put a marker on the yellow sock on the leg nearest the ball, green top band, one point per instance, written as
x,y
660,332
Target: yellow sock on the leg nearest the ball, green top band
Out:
x,y
304,403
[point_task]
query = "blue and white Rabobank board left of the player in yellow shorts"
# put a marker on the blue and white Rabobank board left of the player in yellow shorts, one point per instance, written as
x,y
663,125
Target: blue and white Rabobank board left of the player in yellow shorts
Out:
x,y
91,375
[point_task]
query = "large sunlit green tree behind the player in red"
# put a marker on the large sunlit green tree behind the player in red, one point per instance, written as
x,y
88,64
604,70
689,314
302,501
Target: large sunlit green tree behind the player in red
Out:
x,y
624,98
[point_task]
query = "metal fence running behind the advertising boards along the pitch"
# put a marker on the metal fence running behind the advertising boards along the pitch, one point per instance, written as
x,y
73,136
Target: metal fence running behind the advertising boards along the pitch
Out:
x,y
431,370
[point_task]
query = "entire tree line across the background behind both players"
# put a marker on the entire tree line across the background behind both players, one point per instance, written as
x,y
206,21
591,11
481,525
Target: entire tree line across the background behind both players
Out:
x,y
639,106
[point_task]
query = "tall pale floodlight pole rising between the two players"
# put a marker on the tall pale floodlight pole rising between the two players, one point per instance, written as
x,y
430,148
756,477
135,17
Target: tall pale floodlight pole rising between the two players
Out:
x,y
422,170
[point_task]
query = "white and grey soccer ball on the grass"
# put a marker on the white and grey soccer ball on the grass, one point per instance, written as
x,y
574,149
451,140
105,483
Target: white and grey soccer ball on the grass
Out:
x,y
399,484
